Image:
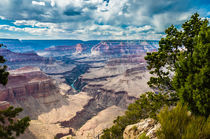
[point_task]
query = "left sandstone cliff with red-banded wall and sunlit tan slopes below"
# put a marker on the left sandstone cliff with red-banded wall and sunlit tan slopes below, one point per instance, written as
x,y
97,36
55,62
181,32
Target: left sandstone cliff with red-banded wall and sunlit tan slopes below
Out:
x,y
46,103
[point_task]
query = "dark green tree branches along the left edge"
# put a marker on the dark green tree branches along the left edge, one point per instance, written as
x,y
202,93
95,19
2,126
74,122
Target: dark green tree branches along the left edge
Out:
x,y
10,125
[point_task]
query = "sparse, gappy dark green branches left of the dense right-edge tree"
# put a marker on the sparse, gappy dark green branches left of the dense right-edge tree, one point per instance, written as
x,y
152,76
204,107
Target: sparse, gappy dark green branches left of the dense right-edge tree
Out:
x,y
162,63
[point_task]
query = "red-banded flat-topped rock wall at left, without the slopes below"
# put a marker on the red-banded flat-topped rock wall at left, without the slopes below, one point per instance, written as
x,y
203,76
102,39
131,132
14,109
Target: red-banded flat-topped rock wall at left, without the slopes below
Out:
x,y
24,82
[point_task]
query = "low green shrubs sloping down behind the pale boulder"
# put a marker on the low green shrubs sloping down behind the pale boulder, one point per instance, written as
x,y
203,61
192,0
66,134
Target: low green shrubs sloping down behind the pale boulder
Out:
x,y
146,106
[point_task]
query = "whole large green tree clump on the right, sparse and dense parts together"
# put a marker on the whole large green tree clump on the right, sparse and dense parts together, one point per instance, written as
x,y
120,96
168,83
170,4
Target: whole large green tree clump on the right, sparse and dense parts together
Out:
x,y
181,64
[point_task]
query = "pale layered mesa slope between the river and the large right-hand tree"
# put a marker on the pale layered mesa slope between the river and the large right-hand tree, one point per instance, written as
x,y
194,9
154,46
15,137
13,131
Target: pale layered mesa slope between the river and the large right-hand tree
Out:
x,y
129,78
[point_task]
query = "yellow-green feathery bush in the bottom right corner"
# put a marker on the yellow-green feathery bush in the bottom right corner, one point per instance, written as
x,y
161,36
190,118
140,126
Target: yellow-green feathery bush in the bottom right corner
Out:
x,y
177,123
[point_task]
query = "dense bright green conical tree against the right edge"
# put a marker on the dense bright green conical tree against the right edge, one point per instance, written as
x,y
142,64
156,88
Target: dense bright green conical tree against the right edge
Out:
x,y
192,78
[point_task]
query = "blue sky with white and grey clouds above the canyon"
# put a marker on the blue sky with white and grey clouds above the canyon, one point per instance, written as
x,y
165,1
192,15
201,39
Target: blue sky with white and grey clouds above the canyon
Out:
x,y
95,19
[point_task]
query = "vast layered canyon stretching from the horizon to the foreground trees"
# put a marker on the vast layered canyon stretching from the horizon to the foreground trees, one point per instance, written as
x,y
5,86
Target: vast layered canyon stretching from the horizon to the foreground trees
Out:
x,y
75,89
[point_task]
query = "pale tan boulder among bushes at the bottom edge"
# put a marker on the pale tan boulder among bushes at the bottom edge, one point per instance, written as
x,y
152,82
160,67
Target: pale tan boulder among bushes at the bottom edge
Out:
x,y
145,126
